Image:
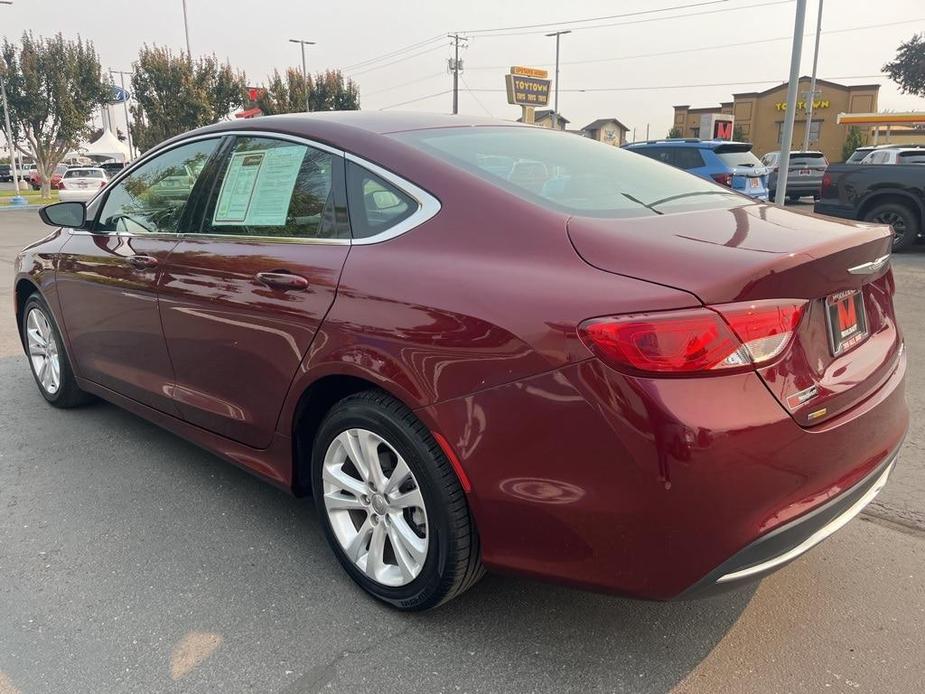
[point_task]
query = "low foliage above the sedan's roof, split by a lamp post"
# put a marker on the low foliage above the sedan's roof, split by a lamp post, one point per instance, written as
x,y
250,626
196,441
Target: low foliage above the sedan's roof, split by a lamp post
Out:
x,y
327,91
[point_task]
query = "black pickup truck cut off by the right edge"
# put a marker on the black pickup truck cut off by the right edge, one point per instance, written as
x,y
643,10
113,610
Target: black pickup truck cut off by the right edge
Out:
x,y
891,194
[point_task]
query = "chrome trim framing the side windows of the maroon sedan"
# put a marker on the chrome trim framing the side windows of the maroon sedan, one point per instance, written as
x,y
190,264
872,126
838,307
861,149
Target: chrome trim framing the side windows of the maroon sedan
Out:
x,y
428,205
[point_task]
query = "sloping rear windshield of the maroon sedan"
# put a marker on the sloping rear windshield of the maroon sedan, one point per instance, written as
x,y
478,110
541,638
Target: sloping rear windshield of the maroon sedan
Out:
x,y
569,173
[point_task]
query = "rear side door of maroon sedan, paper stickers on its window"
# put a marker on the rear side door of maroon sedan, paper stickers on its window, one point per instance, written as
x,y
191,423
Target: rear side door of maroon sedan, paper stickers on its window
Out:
x,y
242,298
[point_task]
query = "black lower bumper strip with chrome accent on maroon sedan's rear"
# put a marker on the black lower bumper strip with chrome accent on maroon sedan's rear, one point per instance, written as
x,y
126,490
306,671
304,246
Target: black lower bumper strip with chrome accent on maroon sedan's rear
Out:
x,y
788,542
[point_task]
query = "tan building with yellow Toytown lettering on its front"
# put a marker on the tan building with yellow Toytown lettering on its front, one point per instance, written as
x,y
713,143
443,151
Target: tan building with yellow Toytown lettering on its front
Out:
x,y
759,116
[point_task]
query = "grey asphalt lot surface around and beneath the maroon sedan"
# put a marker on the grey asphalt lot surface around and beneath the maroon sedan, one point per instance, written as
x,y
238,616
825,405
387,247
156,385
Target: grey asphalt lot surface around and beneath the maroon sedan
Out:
x,y
131,561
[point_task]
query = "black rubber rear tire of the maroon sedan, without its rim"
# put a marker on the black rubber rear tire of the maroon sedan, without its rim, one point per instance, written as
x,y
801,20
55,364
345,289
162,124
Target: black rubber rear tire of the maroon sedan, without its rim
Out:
x,y
357,413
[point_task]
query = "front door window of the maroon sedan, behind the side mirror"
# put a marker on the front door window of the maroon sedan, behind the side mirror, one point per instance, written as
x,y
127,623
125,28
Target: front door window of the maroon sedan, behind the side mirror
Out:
x,y
152,198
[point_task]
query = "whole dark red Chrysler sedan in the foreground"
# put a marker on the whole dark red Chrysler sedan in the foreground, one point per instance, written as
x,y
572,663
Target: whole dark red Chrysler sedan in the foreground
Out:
x,y
481,345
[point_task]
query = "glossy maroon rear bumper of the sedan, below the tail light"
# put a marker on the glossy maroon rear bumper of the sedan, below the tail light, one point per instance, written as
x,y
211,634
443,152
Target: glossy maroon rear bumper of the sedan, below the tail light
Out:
x,y
644,487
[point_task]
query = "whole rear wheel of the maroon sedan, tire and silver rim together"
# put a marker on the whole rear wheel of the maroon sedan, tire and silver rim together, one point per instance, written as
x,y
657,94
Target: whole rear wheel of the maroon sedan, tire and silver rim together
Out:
x,y
391,506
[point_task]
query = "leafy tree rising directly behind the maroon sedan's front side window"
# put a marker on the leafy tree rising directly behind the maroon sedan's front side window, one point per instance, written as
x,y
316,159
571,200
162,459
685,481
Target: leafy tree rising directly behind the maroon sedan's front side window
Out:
x,y
174,94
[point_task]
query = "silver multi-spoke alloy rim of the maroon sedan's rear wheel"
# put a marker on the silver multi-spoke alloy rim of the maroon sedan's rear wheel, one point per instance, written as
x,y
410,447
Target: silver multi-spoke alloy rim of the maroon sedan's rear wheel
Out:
x,y
375,507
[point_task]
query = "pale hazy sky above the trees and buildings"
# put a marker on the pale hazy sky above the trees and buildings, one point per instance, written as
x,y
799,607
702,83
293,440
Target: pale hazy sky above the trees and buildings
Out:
x,y
253,36
